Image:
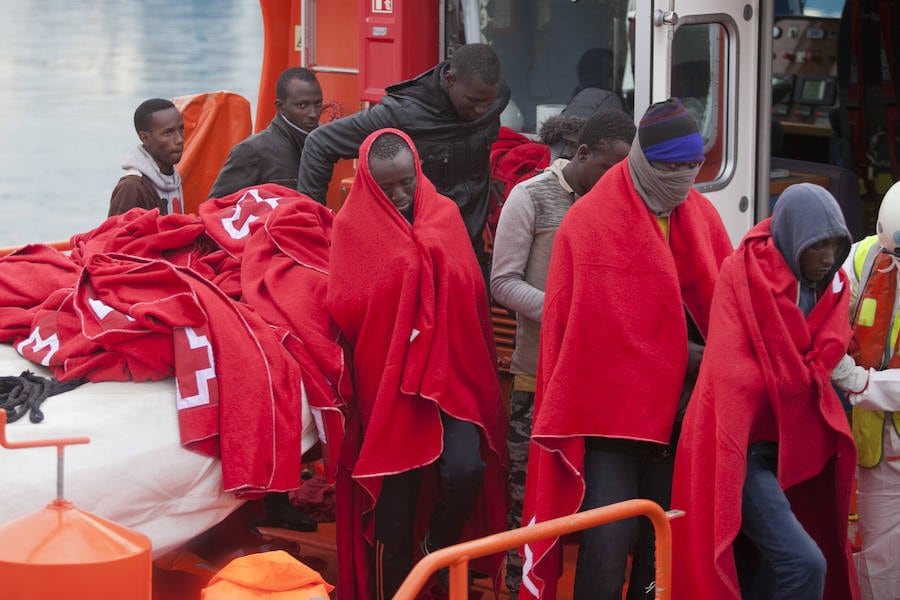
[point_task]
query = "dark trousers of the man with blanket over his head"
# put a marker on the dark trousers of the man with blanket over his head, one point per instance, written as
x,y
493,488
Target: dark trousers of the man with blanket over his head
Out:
x,y
460,471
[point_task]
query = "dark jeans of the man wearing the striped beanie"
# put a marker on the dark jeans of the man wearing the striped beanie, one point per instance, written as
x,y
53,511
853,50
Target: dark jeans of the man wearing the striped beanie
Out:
x,y
614,476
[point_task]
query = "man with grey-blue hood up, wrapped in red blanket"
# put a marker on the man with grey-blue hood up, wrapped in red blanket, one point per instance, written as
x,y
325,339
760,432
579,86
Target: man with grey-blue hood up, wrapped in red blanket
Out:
x,y
765,462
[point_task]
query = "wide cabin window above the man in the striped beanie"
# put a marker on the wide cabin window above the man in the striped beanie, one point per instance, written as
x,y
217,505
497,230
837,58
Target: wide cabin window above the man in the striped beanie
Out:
x,y
550,50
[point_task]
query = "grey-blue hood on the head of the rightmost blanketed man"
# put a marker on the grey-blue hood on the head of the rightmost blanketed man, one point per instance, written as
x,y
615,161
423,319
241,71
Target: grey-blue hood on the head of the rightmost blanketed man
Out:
x,y
805,214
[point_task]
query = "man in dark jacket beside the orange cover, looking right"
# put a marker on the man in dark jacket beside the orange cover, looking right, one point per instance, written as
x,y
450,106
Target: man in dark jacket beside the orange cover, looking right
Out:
x,y
272,155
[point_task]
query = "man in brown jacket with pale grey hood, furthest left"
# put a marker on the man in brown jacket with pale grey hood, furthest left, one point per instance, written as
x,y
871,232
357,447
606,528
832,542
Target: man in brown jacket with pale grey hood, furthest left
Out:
x,y
151,180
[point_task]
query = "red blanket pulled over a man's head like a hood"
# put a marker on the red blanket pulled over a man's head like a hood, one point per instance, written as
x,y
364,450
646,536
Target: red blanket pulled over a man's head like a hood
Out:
x,y
411,302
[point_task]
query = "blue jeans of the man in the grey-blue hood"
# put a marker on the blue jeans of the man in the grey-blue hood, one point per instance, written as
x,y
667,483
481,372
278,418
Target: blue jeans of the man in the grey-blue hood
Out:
x,y
775,558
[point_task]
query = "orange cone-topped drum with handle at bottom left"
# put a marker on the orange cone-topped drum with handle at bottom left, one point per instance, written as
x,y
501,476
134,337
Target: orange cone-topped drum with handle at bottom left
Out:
x,y
62,552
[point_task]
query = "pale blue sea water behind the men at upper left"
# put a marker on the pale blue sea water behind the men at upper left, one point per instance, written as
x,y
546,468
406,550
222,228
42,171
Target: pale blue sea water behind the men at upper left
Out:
x,y
71,74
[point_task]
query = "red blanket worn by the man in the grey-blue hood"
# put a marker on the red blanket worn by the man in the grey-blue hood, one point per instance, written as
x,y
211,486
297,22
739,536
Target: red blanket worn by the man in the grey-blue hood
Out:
x,y
764,357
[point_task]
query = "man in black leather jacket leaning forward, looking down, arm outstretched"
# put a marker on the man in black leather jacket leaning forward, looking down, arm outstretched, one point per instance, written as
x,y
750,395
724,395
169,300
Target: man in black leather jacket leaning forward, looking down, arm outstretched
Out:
x,y
451,112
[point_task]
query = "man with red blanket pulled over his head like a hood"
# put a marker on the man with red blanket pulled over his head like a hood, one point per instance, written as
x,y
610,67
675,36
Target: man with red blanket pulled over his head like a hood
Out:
x,y
424,453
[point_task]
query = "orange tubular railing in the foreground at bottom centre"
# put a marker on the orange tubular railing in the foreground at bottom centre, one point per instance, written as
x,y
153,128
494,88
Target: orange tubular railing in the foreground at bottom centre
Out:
x,y
457,557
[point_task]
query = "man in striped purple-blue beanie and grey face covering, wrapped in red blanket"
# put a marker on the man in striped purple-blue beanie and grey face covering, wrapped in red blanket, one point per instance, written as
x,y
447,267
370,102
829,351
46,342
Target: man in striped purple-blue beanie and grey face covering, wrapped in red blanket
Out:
x,y
626,308
